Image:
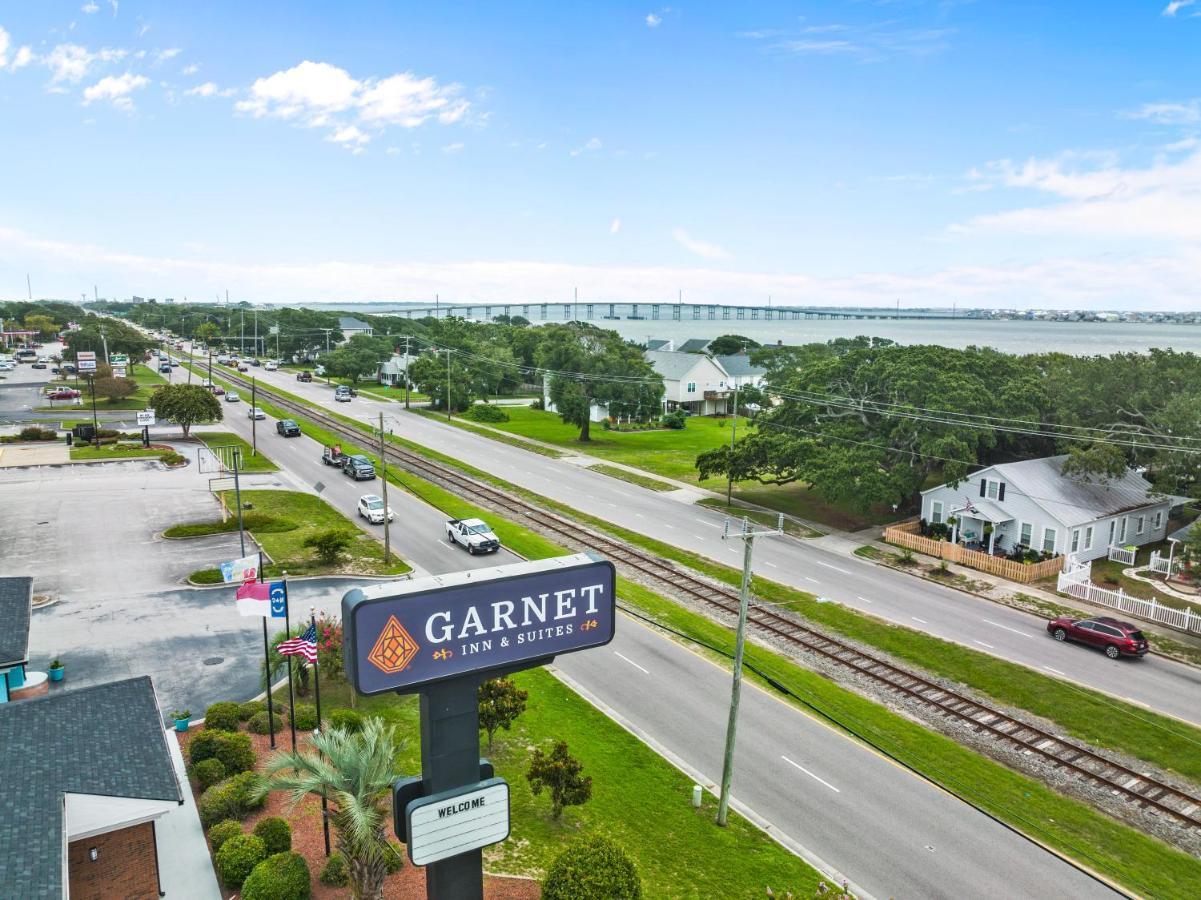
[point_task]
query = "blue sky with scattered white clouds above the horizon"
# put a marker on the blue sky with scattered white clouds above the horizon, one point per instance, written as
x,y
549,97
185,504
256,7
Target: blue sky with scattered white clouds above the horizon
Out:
x,y
935,152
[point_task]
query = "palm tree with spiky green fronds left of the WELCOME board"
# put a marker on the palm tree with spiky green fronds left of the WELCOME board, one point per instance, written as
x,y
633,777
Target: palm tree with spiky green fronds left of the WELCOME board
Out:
x,y
356,772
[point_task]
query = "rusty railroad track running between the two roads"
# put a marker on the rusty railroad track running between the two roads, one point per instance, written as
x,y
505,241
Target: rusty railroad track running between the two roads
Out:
x,y
1134,786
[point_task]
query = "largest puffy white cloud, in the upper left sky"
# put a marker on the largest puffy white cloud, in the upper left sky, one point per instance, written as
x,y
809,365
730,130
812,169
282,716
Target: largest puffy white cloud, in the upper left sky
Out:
x,y
322,96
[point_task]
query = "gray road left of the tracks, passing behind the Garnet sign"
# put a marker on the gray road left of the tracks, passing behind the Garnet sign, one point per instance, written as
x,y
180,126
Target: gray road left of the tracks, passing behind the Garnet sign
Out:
x,y
892,833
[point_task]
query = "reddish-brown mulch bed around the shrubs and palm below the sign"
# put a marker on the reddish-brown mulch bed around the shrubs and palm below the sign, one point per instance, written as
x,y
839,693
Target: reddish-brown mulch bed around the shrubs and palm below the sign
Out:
x,y
309,842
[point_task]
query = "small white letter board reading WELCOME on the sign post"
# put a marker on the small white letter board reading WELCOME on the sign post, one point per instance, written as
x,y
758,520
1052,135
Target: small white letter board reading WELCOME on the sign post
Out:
x,y
458,821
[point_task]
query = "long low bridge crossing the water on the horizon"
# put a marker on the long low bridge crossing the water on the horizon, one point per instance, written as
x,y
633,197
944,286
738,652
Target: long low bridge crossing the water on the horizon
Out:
x,y
566,312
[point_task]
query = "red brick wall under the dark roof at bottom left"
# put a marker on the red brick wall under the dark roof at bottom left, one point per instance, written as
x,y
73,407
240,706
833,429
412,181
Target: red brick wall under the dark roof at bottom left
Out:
x,y
127,867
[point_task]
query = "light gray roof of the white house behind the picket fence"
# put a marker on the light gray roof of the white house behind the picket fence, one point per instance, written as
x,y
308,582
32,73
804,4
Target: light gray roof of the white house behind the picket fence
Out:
x,y
1075,502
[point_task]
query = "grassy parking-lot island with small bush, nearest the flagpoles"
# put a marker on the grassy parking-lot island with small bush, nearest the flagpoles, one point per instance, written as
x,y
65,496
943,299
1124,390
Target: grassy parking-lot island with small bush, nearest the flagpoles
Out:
x,y
288,518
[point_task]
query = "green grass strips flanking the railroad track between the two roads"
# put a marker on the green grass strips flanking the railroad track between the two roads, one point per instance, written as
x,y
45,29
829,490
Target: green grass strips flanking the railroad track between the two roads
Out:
x,y
1130,857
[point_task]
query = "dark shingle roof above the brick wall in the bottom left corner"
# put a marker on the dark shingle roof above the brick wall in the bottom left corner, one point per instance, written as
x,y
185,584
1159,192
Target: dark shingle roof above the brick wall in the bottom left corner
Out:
x,y
105,740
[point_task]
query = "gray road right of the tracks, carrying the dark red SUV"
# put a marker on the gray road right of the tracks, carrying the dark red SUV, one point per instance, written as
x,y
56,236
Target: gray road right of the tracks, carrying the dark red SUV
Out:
x,y
1155,683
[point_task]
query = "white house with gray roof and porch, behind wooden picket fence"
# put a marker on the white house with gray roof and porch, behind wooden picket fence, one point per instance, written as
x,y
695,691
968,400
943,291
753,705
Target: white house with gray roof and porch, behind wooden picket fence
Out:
x,y
1033,505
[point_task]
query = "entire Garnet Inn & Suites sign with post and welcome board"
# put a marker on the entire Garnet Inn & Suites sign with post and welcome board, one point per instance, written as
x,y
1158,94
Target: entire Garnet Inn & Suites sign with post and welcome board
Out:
x,y
443,637
